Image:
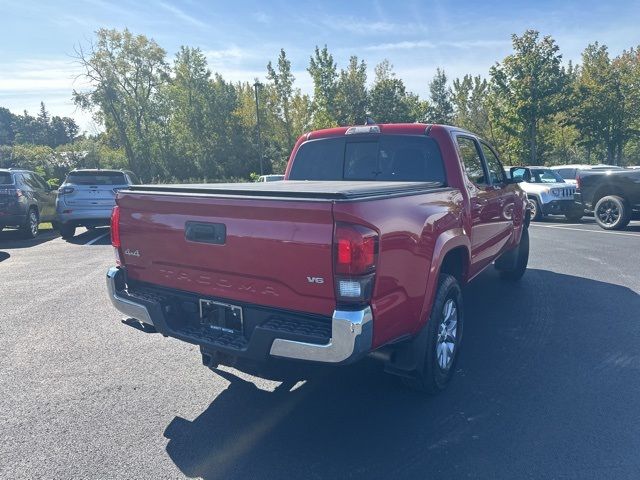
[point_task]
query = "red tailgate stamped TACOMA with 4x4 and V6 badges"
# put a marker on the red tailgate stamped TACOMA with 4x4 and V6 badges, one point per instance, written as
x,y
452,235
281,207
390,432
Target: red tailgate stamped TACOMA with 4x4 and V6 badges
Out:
x,y
273,252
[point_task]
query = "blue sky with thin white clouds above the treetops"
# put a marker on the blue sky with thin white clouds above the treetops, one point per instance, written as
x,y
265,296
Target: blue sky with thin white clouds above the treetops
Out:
x,y
37,38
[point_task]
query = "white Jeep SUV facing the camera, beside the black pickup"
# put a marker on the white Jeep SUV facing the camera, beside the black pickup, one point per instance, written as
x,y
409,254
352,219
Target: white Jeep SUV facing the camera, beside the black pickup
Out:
x,y
547,192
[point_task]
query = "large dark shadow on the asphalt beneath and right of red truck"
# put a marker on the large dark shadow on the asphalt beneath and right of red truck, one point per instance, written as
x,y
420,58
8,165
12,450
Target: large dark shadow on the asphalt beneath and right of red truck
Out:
x,y
542,360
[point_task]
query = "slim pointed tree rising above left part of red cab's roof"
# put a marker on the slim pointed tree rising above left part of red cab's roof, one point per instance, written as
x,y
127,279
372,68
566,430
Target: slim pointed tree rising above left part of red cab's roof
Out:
x,y
324,73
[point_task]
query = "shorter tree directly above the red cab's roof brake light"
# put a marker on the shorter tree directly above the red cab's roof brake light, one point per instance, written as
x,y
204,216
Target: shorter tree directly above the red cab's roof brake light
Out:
x,y
352,98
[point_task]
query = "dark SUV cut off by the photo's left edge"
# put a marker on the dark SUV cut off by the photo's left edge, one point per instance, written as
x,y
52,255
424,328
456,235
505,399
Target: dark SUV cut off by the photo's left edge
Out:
x,y
25,201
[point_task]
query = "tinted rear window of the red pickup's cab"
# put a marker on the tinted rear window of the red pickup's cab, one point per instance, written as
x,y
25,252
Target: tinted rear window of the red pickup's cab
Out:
x,y
399,158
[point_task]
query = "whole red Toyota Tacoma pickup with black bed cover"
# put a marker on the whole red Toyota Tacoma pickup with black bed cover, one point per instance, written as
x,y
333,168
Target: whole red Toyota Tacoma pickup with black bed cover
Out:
x,y
361,250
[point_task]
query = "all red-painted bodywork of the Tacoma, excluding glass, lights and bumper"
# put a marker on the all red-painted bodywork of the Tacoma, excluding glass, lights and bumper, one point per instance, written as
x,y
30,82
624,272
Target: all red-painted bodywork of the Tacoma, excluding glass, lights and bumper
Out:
x,y
274,245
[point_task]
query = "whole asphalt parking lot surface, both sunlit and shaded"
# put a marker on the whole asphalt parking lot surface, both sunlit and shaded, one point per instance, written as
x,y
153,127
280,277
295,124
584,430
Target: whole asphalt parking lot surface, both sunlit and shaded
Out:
x,y
547,383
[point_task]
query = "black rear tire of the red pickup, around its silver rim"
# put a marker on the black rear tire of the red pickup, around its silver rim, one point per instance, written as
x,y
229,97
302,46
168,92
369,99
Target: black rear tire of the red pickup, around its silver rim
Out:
x,y
432,378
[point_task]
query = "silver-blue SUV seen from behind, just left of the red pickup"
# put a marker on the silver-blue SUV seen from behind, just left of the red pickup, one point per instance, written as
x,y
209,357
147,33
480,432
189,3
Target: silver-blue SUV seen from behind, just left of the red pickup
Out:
x,y
87,197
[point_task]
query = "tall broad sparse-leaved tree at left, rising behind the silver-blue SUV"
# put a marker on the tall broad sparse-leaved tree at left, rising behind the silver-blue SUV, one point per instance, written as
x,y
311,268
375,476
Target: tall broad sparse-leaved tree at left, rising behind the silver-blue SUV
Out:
x,y
126,72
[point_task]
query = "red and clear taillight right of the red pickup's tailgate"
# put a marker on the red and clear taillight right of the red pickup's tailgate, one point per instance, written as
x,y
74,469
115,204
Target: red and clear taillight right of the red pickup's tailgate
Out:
x,y
355,258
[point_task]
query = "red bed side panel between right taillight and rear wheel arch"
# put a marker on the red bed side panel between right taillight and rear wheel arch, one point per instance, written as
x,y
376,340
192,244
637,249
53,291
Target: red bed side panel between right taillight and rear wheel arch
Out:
x,y
409,227
